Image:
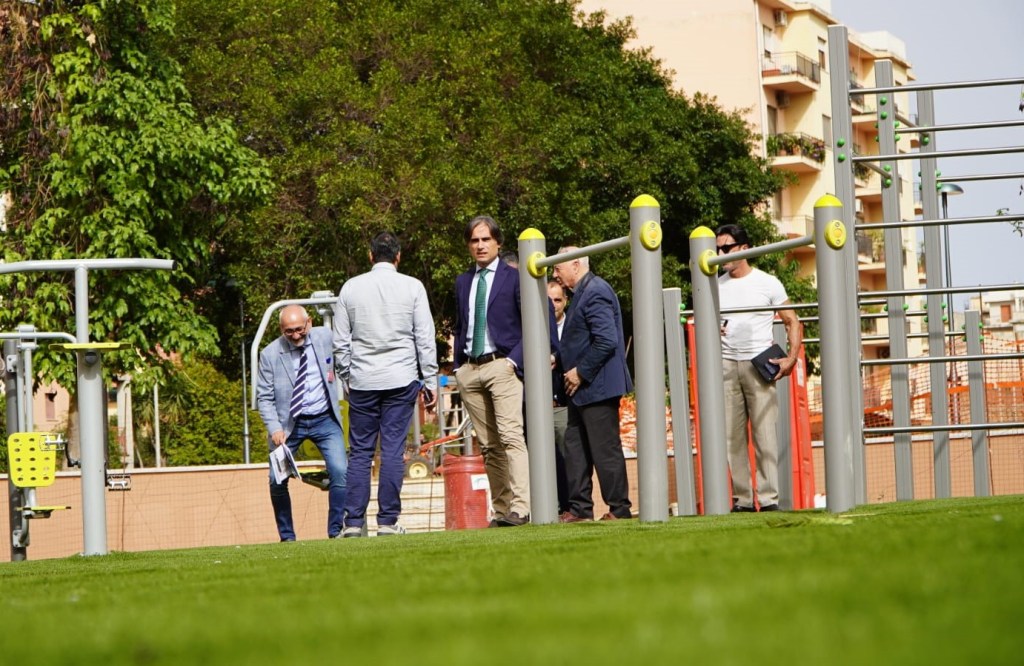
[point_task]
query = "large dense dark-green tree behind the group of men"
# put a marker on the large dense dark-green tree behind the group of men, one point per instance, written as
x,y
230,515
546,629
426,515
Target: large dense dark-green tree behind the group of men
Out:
x,y
416,116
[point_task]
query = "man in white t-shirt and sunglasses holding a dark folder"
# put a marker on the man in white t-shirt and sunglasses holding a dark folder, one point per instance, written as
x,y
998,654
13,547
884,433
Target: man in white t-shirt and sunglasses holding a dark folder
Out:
x,y
748,396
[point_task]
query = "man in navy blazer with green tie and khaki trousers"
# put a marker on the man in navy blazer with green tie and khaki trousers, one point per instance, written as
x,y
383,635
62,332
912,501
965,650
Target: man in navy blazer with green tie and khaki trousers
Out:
x,y
489,369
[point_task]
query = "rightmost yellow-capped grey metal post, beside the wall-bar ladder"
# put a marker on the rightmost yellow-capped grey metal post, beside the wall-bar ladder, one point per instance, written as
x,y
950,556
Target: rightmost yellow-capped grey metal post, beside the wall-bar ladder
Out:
x,y
830,234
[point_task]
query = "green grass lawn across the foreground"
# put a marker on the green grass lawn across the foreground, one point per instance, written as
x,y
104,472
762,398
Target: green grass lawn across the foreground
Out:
x,y
936,582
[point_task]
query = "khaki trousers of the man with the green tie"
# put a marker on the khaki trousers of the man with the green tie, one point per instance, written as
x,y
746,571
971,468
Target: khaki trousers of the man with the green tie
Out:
x,y
493,396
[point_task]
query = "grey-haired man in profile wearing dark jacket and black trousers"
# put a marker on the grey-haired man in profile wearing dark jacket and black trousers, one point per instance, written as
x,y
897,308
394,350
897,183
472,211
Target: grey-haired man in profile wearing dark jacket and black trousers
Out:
x,y
592,353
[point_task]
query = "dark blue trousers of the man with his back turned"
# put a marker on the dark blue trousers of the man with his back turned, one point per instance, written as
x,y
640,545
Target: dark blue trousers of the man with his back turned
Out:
x,y
371,414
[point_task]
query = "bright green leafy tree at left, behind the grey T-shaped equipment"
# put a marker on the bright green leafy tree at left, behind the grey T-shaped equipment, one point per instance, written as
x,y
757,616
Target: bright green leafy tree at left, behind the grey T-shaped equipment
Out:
x,y
105,156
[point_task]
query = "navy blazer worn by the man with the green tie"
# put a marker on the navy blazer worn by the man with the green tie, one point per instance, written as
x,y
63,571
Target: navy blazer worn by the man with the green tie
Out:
x,y
504,316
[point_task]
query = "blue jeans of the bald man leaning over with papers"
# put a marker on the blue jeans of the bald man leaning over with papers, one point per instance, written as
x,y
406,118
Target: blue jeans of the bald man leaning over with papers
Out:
x,y
324,432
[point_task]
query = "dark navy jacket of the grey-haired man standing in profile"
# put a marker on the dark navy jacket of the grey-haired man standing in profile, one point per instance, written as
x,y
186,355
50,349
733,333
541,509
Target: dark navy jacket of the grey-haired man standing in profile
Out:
x,y
593,343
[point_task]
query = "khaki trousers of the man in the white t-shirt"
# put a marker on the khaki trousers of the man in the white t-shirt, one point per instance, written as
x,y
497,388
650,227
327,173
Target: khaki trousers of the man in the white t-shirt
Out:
x,y
749,398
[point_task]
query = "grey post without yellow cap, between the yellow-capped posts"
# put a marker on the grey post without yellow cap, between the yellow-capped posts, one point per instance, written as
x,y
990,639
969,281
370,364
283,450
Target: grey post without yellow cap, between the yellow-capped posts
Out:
x,y
680,400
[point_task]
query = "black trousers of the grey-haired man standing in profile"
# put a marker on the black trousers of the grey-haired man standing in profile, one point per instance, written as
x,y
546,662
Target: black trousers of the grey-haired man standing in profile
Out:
x,y
592,442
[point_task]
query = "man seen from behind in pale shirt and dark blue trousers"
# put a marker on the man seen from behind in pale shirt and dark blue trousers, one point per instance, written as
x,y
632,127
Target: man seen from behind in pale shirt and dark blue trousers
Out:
x,y
387,354
